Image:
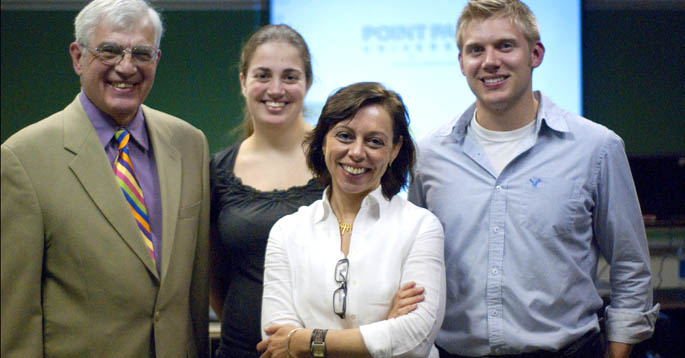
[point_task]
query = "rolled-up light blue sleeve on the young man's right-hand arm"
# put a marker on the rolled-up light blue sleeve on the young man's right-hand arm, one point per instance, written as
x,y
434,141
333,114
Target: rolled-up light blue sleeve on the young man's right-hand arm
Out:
x,y
620,232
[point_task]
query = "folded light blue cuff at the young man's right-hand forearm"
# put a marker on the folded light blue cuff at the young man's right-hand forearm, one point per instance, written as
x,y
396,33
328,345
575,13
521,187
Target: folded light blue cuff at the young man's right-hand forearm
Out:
x,y
630,327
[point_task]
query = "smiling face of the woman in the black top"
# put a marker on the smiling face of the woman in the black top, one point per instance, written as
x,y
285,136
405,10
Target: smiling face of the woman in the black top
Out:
x,y
275,84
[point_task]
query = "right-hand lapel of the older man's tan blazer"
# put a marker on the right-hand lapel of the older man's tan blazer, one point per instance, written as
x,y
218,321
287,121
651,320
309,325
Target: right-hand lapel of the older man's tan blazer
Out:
x,y
169,167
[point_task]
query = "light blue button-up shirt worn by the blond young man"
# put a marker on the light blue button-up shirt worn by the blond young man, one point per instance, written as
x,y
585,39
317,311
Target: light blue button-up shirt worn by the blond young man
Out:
x,y
521,247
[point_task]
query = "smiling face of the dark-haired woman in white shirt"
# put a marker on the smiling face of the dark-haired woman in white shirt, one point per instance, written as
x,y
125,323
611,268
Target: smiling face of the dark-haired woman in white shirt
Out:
x,y
357,151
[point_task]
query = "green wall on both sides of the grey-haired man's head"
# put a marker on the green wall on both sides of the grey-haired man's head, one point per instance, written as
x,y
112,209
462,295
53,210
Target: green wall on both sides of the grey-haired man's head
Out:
x,y
197,78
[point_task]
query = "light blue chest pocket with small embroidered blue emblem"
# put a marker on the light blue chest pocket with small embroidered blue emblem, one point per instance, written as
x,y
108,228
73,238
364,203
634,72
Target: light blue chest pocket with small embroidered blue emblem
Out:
x,y
550,205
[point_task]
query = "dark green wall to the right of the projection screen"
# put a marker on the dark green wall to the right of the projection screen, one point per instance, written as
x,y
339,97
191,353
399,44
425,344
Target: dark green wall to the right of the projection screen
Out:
x,y
633,73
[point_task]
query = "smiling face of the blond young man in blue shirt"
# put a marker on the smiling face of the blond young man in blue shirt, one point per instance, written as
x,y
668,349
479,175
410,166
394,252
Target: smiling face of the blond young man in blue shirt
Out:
x,y
497,61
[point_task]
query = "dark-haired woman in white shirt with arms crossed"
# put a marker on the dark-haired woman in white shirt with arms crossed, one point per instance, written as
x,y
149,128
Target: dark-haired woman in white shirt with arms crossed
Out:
x,y
332,268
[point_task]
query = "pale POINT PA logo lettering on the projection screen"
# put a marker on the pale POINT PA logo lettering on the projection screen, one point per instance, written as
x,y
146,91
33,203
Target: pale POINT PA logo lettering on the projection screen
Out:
x,y
411,44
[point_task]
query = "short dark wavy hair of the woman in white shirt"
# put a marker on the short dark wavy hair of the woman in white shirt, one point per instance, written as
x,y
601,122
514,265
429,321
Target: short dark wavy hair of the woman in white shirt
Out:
x,y
343,105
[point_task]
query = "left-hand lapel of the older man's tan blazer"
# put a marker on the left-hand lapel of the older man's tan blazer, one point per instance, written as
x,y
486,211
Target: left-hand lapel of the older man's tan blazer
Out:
x,y
91,166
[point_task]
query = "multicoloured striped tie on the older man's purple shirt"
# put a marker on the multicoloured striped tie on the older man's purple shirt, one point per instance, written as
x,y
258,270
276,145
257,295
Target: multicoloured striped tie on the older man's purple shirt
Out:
x,y
126,177
